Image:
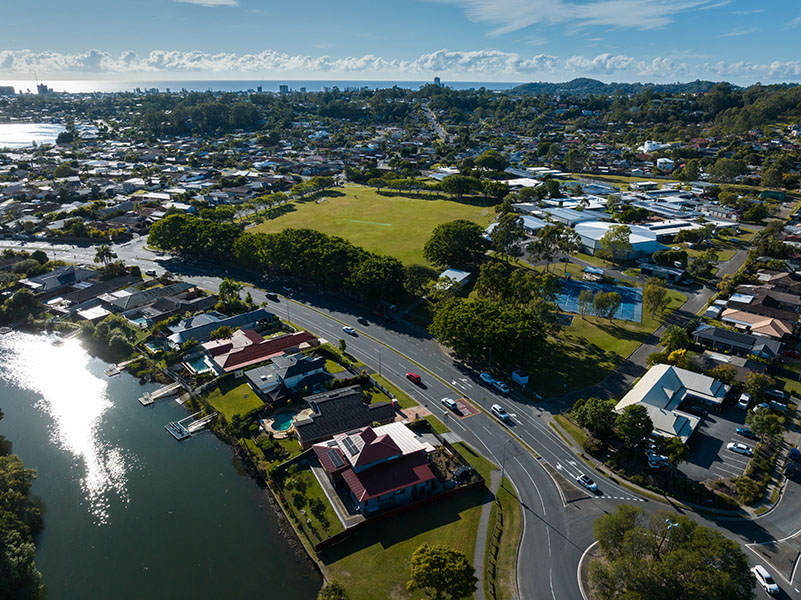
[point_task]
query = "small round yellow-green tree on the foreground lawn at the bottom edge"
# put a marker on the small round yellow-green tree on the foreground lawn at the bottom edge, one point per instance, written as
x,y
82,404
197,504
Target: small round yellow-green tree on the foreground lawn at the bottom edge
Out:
x,y
442,572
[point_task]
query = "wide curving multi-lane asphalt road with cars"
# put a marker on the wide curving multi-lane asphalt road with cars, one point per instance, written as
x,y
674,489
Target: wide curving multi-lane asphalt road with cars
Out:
x,y
554,535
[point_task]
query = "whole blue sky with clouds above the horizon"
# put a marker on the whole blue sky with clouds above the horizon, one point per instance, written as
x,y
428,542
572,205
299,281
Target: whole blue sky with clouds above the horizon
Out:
x,y
740,41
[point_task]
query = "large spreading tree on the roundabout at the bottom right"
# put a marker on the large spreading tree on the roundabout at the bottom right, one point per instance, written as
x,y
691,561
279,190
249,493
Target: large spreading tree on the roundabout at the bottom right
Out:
x,y
665,556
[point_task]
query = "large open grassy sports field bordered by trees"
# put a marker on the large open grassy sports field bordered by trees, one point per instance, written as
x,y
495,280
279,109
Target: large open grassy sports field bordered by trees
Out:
x,y
398,225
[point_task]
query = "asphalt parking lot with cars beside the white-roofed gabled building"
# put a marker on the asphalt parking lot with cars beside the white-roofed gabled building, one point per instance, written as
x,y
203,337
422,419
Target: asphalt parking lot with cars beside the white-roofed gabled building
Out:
x,y
709,457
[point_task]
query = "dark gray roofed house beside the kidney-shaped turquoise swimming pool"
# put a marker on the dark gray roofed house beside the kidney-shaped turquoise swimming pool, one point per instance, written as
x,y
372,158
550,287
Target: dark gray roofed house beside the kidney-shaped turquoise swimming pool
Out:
x,y
339,411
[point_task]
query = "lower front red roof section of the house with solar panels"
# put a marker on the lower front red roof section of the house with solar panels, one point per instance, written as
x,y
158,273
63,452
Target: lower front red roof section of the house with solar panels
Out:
x,y
389,477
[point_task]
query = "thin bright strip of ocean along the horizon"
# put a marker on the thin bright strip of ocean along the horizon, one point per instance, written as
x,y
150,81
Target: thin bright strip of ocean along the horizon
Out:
x,y
267,85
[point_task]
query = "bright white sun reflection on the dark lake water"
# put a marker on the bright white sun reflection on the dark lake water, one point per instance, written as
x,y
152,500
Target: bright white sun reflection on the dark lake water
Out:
x,y
76,400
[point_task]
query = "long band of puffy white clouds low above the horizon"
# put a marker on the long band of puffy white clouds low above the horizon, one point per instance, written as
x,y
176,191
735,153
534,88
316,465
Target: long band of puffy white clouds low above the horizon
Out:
x,y
478,64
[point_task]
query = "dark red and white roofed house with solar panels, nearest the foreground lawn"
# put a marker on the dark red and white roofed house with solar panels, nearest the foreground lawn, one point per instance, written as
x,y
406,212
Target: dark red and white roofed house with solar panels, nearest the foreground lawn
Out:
x,y
378,467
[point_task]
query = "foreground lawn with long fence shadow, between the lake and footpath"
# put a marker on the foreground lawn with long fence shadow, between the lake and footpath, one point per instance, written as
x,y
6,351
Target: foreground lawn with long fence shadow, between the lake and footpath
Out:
x,y
374,563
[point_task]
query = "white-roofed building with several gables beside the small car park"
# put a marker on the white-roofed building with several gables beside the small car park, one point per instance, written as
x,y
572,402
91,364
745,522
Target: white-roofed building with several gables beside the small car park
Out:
x,y
663,389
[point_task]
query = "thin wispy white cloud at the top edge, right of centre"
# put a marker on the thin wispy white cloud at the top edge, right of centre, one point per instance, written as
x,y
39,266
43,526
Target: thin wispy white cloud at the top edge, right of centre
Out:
x,y
513,15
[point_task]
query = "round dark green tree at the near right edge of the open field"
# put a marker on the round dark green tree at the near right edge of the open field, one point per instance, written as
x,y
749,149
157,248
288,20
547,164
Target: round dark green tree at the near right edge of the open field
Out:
x,y
456,244
